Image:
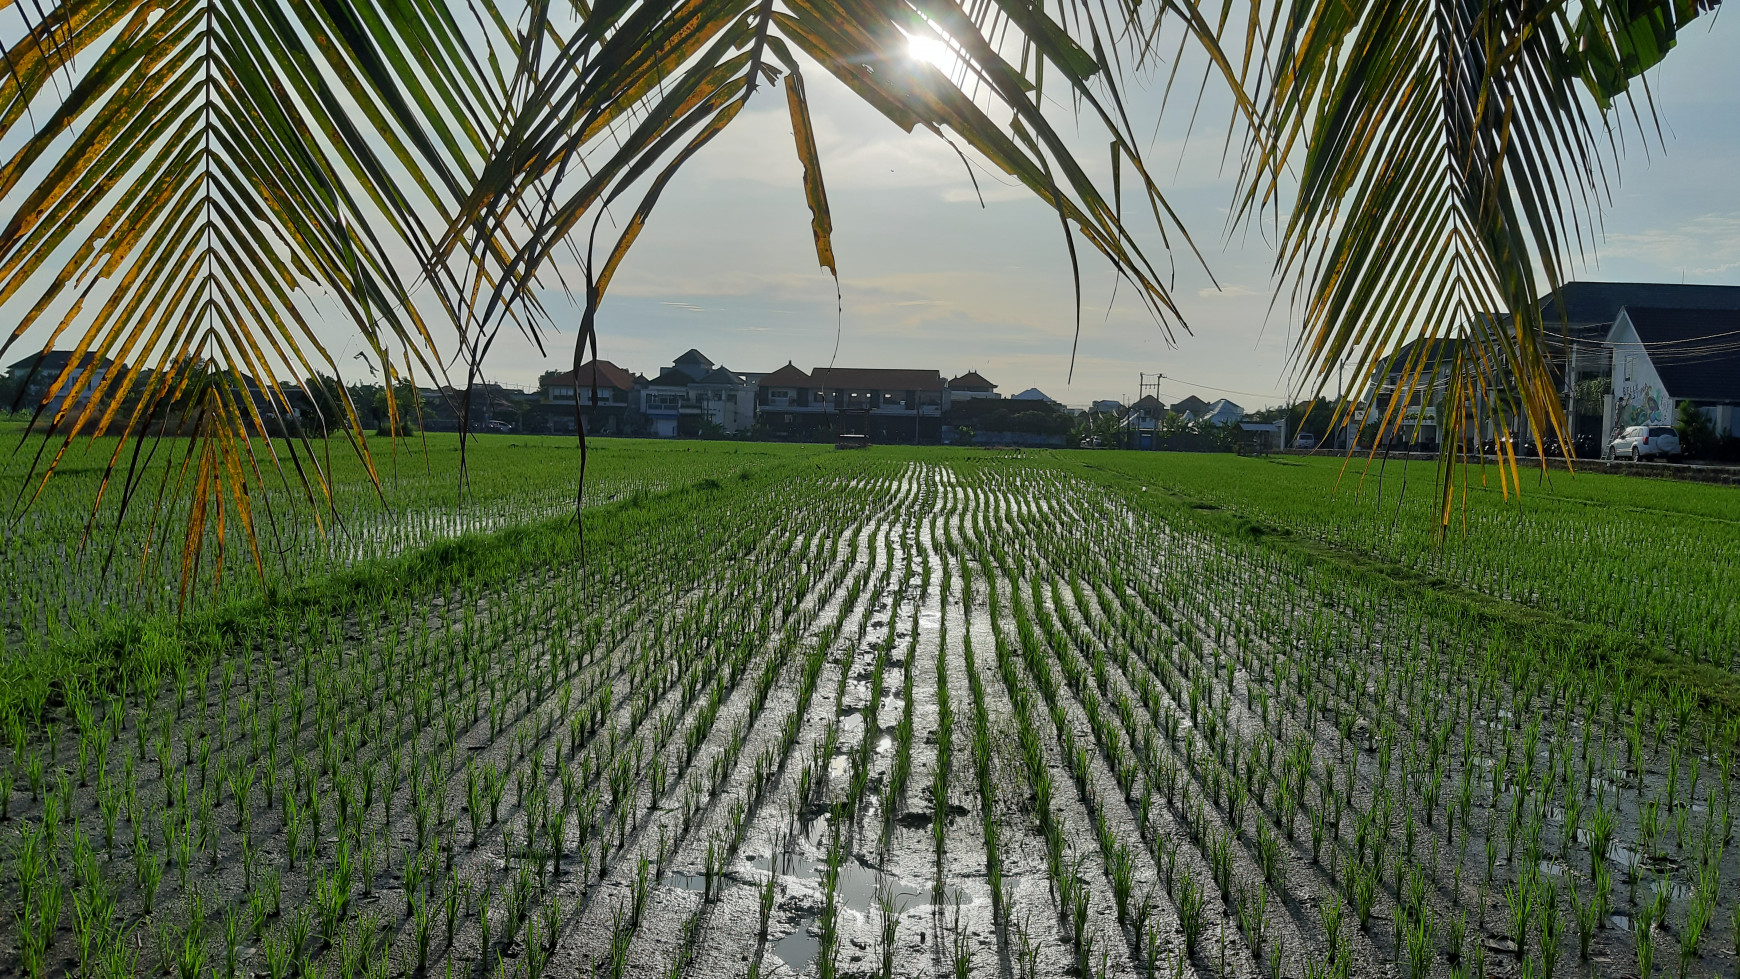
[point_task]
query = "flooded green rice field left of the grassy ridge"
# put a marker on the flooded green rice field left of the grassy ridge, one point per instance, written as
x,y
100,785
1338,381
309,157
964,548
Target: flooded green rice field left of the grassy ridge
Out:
x,y
60,582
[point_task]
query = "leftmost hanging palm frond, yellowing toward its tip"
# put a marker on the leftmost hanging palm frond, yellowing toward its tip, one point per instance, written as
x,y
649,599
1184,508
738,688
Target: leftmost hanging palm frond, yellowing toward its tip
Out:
x,y
199,185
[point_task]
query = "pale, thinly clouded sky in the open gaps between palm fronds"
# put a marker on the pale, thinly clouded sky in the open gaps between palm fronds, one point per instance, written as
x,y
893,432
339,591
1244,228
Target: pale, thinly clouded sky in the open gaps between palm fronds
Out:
x,y
934,279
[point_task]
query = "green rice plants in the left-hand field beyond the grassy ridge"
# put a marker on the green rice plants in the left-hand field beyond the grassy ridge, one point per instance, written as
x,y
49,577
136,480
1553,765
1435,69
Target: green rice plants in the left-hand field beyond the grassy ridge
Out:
x,y
422,505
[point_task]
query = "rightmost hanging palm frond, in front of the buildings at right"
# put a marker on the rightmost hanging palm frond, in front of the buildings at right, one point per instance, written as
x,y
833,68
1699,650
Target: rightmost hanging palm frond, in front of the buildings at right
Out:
x,y
1447,159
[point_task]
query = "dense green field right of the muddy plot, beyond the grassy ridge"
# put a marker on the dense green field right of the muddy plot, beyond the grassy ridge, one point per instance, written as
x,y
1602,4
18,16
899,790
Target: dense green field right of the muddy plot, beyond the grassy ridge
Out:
x,y
1640,557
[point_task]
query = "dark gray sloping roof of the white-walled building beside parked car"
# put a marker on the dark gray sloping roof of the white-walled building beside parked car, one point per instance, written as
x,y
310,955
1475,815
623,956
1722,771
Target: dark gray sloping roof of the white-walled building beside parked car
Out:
x,y
1696,352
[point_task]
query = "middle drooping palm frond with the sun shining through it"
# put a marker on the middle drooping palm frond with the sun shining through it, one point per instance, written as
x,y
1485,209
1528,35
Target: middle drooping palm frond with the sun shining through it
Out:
x,y
638,91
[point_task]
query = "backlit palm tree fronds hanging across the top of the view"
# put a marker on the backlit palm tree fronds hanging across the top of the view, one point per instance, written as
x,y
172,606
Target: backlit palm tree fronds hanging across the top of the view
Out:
x,y
412,168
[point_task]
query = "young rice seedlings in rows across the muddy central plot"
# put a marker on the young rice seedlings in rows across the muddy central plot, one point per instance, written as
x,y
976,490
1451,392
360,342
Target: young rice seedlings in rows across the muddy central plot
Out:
x,y
1228,717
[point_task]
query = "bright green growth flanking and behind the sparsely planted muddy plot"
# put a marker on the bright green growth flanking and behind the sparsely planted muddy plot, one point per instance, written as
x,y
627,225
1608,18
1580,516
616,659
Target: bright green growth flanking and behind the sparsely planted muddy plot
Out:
x,y
1616,568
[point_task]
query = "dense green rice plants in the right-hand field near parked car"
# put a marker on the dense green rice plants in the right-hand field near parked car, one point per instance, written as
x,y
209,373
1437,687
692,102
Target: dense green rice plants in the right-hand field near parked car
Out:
x,y
1555,569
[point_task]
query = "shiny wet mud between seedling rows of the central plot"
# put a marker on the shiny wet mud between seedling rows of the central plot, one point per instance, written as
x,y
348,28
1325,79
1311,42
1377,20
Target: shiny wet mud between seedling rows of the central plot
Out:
x,y
1168,608
